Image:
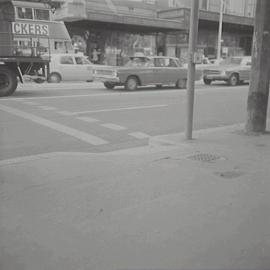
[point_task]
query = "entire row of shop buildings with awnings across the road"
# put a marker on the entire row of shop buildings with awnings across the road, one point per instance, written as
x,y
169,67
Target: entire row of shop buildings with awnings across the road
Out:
x,y
109,31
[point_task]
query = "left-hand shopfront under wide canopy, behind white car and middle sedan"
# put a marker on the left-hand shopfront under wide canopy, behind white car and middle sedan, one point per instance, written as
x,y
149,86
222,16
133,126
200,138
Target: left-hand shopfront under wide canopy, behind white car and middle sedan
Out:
x,y
108,36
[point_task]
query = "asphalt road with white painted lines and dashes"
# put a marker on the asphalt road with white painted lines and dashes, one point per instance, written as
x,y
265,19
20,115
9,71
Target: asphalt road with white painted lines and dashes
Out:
x,y
86,117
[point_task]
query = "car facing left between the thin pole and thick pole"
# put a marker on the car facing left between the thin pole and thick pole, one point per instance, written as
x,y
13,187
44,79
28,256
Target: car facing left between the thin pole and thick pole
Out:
x,y
232,70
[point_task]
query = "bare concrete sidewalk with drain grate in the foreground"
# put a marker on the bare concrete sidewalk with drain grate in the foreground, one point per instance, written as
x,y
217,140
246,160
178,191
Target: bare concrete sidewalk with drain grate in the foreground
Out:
x,y
174,204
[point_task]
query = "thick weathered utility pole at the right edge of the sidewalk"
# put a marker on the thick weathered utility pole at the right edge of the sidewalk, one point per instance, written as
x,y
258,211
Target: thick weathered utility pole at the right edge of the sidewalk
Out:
x,y
260,71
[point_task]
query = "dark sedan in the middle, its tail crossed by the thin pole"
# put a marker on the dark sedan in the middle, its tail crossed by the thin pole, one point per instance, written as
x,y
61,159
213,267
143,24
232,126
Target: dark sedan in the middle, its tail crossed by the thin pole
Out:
x,y
144,70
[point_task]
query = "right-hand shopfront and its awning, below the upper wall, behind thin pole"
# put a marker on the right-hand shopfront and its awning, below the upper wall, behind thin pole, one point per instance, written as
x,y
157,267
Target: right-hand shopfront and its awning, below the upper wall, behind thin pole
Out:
x,y
236,35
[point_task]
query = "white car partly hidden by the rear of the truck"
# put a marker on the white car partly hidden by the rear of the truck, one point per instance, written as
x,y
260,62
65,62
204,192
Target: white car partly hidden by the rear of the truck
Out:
x,y
70,67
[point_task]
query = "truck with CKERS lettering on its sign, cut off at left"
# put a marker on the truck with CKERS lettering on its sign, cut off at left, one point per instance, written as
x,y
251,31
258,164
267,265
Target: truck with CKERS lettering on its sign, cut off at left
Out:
x,y
27,37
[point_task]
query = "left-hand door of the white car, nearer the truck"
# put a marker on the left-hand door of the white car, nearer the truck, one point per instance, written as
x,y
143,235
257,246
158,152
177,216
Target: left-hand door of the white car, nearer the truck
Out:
x,y
67,68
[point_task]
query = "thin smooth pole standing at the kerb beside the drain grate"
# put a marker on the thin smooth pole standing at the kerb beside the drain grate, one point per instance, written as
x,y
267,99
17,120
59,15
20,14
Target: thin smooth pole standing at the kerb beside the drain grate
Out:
x,y
193,34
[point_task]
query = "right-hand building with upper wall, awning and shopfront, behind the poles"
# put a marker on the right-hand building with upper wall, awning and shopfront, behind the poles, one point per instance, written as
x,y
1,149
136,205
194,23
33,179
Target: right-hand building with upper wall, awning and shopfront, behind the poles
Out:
x,y
238,20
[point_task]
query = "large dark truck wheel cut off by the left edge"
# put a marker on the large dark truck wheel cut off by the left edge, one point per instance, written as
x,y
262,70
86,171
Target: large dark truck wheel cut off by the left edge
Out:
x,y
8,81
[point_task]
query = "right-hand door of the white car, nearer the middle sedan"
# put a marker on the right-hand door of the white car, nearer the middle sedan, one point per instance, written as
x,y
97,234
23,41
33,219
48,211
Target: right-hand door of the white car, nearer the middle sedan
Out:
x,y
84,68
